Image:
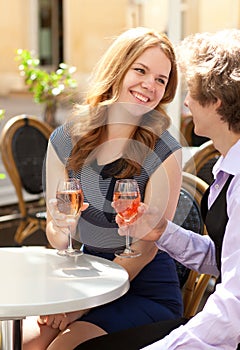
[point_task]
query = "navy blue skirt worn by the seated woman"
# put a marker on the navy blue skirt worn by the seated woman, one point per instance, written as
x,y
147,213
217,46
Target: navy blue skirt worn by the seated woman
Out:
x,y
154,295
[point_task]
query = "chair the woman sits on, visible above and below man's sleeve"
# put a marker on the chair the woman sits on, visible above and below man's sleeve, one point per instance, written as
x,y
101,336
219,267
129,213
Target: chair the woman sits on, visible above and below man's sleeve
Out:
x,y
188,216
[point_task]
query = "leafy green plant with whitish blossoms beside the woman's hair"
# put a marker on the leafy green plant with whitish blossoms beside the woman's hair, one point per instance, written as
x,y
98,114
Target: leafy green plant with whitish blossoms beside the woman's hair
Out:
x,y
47,87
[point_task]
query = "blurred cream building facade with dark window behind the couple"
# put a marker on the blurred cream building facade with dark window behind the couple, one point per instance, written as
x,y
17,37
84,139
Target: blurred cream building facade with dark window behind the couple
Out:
x,y
78,31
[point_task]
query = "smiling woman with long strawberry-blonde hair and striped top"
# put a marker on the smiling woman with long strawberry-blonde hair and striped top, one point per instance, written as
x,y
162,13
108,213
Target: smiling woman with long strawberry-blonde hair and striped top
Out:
x,y
120,132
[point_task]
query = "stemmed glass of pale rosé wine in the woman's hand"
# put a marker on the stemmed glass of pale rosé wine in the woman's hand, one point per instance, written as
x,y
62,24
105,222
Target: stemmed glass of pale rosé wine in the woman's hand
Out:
x,y
69,197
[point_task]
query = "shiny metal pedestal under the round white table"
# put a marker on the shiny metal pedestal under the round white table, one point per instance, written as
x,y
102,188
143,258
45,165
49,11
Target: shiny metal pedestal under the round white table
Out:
x,y
11,334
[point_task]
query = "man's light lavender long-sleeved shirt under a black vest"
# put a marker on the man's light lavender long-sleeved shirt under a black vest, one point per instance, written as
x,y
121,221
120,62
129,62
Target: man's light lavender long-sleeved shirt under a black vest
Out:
x,y
217,326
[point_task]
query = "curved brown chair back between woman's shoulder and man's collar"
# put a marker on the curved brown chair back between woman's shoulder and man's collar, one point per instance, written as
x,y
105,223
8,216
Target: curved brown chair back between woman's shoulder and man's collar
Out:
x,y
202,162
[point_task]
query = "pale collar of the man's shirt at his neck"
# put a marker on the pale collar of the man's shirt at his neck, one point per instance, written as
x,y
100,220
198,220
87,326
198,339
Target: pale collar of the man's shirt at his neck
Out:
x,y
230,163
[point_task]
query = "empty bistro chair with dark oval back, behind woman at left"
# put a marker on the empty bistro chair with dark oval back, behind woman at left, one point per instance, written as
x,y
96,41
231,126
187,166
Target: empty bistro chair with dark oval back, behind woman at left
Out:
x,y
23,145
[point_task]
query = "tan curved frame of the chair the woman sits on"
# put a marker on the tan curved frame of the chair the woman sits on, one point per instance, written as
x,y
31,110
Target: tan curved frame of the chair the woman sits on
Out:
x,y
196,283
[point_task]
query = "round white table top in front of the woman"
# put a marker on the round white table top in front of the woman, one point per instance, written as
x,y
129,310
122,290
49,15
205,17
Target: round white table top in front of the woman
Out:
x,y
37,281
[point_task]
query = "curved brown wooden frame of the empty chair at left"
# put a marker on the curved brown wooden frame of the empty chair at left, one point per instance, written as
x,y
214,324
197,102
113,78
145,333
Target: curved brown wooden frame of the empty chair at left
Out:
x,y
28,224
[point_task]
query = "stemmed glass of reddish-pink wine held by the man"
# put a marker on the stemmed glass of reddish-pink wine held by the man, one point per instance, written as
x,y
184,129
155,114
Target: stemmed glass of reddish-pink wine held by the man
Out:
x,y
127,197
